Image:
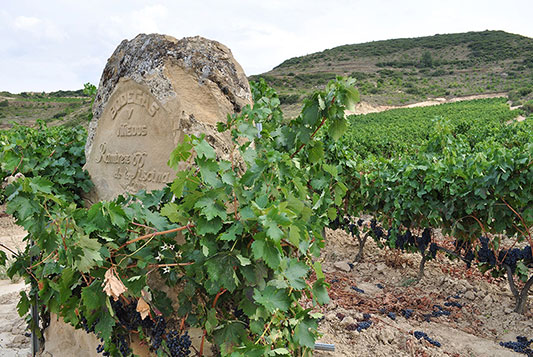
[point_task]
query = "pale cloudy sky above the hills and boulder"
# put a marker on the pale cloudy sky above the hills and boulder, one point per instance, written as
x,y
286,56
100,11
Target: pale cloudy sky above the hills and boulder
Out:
x,y
61,44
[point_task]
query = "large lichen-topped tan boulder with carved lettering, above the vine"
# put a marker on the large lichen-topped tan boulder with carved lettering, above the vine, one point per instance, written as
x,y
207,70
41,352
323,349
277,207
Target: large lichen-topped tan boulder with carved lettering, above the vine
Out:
x,y
154,90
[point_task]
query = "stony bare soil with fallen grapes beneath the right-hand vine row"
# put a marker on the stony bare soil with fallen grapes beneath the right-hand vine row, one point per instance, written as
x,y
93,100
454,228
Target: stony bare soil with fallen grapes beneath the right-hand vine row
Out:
x,y
475,329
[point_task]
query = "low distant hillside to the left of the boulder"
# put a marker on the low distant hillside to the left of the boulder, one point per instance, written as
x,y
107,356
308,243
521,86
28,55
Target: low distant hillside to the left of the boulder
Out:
x,y
60,107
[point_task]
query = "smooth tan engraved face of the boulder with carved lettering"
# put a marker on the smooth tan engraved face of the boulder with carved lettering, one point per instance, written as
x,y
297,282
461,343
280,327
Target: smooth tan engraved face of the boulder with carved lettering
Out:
x,y
132,143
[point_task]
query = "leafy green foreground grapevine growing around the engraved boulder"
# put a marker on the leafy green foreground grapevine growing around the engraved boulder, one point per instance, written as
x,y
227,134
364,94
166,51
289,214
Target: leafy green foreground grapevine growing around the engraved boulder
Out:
x,y
252,226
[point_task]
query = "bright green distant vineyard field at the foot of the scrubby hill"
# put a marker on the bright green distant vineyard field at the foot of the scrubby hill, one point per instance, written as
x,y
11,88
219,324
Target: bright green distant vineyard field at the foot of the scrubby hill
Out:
x,y
403,130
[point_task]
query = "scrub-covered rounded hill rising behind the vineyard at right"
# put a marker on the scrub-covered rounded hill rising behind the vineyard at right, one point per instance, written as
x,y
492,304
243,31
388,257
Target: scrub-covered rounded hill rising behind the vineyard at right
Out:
x,y
403,71
